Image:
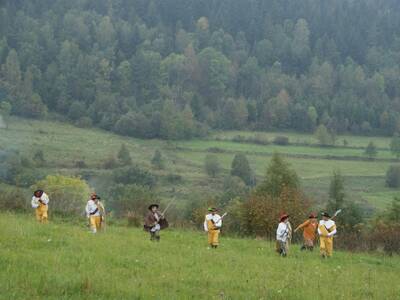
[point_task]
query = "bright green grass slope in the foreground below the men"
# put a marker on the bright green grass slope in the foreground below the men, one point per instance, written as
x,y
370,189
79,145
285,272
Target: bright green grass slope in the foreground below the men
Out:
x,y
64,261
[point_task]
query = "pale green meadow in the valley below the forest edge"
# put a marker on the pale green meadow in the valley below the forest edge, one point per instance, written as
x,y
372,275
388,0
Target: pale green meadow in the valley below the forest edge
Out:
x,y
64,145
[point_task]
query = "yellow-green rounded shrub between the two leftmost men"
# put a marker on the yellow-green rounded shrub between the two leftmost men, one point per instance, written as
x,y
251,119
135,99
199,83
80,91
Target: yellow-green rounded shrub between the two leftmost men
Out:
x,y
67,195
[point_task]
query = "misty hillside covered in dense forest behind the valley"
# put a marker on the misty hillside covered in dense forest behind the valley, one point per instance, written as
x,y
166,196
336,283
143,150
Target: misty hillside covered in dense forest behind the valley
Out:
x,y
174,68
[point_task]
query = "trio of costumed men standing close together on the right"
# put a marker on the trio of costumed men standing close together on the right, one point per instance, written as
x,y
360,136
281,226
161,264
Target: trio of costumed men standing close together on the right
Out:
x,y
326,229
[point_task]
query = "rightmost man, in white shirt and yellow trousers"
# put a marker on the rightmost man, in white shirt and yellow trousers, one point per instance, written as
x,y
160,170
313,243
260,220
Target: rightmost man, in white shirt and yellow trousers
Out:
x,y
326,231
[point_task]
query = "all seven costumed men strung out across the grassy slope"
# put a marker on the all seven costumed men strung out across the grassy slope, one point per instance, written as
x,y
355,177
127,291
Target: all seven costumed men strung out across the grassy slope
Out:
x,y
155,221
